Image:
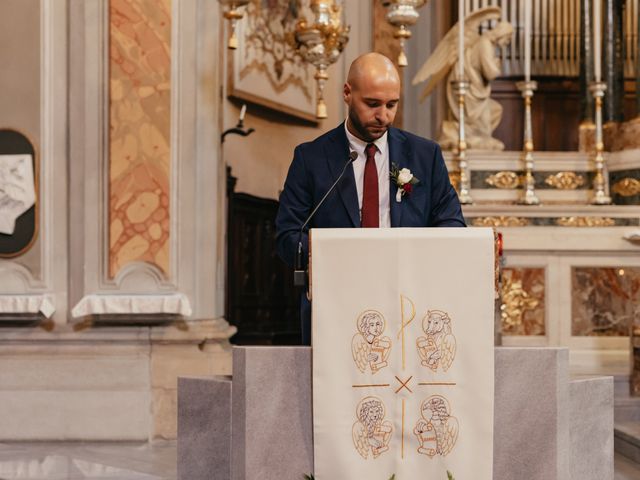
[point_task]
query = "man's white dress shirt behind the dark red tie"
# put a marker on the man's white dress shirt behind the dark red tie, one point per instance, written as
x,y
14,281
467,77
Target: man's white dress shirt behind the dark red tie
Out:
x,y
382,165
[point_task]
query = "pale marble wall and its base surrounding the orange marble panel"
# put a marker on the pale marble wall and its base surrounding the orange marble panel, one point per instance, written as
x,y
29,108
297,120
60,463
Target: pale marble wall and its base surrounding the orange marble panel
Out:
x,y
75,378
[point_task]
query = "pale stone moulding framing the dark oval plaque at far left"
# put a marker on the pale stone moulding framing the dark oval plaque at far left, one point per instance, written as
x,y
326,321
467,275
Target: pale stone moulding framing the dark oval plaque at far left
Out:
x,y
51,280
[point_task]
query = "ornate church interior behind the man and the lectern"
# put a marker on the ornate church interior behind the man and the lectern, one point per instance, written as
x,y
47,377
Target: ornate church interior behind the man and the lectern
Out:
x,y
144,145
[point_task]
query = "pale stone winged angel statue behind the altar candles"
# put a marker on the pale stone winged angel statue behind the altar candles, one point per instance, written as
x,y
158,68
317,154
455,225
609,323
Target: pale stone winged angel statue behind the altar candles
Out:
x,y
481,65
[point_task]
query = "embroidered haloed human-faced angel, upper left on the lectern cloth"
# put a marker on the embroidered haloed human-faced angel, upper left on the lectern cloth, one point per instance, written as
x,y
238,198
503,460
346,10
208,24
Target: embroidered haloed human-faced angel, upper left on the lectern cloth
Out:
x,y
368,347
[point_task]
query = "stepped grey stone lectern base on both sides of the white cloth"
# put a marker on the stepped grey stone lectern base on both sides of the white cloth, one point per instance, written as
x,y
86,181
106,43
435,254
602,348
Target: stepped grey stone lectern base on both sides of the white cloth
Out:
x,y
259,425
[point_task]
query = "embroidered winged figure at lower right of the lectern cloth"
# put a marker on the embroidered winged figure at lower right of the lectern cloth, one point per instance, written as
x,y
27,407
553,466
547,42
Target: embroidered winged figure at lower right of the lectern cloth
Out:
x,y
437,430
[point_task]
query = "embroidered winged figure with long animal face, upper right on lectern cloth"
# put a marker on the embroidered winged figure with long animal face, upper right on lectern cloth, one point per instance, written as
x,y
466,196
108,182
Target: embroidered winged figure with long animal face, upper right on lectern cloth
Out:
x,y
438,348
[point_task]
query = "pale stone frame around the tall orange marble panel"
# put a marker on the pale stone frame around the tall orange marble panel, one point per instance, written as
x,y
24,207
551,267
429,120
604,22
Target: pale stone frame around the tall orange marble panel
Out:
x,y
197,177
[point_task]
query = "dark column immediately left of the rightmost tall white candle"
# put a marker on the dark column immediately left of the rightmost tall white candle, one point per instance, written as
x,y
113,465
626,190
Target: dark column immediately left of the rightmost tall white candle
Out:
x,y
586,61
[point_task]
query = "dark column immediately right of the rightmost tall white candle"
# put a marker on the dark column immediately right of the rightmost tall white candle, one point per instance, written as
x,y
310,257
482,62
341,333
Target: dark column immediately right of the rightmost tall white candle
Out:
x,y
613,61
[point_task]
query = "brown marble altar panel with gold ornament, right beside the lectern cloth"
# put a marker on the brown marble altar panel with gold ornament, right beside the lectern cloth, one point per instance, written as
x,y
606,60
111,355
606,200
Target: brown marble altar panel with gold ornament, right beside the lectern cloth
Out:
x,y
523,301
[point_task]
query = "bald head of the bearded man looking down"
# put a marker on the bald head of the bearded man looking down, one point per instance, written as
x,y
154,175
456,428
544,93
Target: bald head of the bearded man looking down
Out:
x,y
372,93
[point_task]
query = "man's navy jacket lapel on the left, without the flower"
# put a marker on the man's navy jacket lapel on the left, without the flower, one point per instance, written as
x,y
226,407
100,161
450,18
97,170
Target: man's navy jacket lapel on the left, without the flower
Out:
x,y
337,154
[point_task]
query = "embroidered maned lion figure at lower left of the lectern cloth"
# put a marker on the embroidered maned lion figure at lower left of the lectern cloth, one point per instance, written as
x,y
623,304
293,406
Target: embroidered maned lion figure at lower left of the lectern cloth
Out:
x,y
371,433
